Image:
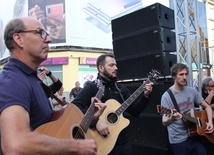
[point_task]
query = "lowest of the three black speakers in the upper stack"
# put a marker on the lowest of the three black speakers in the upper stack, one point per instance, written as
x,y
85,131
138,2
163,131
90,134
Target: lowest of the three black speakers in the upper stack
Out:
x,y
137,68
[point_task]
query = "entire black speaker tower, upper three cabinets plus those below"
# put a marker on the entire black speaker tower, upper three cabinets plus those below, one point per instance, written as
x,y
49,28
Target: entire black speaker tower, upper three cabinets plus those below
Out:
x,y
142,41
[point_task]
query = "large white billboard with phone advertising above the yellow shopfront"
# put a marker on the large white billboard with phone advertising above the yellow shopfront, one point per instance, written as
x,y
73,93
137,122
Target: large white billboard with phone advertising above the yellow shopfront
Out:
x,y
85,23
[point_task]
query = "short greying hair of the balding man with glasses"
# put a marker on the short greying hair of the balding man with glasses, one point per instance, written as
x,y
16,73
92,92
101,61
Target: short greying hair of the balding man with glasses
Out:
x,y
14,26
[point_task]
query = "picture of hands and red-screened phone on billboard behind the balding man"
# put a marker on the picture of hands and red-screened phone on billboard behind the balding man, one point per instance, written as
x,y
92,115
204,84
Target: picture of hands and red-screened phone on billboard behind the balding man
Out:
x,y
52,15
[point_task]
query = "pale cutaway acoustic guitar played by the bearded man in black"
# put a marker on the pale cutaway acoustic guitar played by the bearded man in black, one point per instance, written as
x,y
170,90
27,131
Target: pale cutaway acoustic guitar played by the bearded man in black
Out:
x,y
114,119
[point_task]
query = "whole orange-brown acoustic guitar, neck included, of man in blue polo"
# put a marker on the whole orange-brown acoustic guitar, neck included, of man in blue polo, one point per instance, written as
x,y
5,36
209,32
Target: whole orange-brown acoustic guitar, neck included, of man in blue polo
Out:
x,y
72,123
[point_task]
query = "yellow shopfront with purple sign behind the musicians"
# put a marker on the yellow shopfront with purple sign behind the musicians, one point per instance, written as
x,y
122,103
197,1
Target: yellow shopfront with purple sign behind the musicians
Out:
x,y
72,66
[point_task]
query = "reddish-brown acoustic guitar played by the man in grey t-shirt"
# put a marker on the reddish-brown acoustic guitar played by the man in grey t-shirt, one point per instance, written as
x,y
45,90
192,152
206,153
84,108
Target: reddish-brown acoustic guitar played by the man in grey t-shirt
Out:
x,y
195,121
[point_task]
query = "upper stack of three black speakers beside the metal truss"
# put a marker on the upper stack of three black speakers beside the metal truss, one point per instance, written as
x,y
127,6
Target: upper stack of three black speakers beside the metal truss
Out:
x,y
143,40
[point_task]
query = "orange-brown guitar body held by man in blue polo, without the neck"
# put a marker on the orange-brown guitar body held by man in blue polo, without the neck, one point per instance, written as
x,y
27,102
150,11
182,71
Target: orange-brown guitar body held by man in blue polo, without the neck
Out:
x,y
67,126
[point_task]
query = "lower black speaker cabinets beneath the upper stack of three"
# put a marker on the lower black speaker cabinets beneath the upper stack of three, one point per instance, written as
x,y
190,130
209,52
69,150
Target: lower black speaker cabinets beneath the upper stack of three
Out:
x,y
147,133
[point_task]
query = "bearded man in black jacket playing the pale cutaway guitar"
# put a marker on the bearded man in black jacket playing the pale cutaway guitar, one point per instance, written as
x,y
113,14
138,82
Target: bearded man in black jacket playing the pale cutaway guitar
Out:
x,y
107,68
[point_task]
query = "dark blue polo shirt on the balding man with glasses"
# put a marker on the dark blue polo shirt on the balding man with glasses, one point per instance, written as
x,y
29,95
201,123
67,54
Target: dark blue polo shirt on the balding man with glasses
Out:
x,y
19,85
